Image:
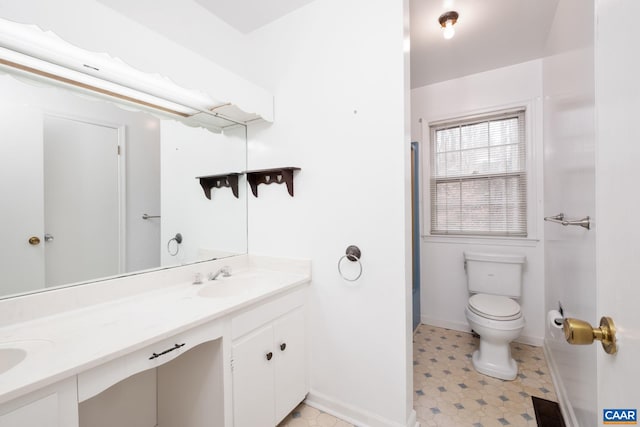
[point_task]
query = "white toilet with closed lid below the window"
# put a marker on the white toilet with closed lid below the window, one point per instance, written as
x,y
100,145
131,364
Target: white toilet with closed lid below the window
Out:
x,y
495,283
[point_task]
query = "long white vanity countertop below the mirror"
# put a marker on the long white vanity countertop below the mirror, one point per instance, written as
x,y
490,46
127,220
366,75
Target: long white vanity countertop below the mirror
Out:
x,y
65,344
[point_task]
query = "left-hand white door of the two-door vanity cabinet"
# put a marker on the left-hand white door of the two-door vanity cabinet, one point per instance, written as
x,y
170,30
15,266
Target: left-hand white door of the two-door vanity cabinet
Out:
x,y
253,379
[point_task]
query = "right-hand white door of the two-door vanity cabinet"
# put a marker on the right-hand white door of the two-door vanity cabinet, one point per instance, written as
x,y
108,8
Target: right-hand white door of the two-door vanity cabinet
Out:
x,y
290,362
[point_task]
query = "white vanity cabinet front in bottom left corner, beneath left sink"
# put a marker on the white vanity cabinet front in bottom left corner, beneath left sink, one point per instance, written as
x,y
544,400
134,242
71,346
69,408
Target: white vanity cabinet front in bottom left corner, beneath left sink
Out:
x,y
53,406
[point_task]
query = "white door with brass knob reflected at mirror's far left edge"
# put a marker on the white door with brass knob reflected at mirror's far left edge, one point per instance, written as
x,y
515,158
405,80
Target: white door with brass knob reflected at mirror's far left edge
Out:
x,y
22,217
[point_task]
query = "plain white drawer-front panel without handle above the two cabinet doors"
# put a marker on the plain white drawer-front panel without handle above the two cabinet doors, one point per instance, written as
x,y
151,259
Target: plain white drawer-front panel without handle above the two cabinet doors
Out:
x,y
266,312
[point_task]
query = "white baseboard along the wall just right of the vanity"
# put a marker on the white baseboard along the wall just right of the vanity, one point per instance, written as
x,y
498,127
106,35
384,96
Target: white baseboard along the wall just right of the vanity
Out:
x,y
353,415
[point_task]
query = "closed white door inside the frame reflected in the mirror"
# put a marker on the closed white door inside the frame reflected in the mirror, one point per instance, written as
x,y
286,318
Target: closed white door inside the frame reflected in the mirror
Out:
x,y
81,201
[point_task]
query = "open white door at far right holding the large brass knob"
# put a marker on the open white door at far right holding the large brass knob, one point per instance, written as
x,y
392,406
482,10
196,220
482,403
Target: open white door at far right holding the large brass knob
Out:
x,y
618,200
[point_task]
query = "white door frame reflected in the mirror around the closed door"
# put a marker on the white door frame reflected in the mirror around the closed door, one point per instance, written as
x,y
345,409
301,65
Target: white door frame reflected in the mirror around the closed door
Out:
x,y
122,172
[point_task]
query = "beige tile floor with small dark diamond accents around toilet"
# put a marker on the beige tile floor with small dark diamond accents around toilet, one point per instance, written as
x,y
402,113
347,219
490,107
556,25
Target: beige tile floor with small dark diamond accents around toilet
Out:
x,y
450,393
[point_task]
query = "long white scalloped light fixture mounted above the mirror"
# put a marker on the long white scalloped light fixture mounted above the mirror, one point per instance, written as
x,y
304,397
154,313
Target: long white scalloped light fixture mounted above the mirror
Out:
x,y
29,51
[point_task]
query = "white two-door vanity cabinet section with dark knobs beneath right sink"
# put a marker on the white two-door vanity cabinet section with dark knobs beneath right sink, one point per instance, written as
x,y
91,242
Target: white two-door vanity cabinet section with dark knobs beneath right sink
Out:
x,y
269,361
